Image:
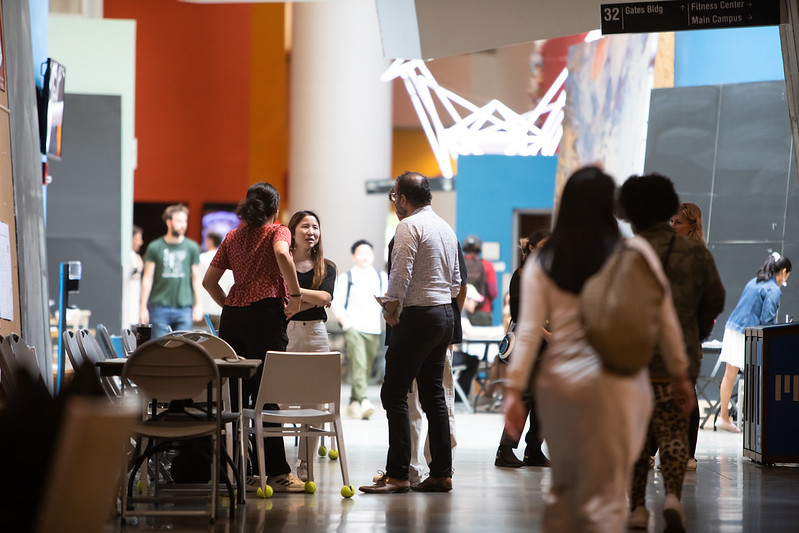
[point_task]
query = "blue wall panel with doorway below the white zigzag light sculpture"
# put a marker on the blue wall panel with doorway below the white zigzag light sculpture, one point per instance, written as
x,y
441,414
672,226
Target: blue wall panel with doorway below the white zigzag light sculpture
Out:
x,y
490,188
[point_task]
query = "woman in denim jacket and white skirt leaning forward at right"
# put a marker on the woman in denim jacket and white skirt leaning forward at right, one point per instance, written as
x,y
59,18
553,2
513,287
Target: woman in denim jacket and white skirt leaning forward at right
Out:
x,y
757,307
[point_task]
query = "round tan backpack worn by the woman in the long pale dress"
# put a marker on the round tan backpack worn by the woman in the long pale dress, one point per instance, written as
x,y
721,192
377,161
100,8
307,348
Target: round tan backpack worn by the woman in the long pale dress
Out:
x,y
620,307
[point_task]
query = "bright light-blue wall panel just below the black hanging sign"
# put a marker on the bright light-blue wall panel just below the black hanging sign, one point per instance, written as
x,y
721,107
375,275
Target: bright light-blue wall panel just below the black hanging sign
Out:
x,y
715,57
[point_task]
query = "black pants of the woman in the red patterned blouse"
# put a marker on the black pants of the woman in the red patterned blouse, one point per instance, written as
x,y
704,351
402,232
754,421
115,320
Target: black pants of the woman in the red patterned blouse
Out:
x,y
252,331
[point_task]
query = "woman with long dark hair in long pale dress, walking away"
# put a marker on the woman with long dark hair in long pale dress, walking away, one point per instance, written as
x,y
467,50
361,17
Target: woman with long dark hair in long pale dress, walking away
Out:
x,y
593,421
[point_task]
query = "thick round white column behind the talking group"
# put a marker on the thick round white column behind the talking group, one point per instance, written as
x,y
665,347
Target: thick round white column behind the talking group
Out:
x,y
340,123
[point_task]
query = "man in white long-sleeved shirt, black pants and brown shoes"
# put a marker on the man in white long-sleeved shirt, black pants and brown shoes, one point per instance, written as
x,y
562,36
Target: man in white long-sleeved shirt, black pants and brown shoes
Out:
x,y
424,279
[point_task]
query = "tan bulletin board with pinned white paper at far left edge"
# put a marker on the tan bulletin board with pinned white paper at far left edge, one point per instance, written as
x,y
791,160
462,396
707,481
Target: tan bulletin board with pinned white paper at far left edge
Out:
x,y
9,274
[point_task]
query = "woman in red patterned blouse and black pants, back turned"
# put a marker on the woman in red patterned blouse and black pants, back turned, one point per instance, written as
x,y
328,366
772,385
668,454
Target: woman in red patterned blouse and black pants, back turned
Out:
x,y
264,294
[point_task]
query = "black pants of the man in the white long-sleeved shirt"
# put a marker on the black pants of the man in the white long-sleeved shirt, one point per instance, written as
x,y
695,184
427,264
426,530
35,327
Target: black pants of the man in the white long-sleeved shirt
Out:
x,y
417,350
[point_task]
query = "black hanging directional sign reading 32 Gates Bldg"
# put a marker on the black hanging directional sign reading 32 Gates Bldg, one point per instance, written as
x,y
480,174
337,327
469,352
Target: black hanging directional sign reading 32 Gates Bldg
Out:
x,y
678,15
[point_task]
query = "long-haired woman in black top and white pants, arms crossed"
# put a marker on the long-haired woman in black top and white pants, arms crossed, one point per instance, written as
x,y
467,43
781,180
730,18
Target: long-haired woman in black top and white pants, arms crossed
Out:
x,y
317,276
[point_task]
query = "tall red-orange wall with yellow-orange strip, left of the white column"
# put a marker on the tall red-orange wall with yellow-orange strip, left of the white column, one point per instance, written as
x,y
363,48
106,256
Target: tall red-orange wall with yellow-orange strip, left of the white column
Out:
x,y
198,70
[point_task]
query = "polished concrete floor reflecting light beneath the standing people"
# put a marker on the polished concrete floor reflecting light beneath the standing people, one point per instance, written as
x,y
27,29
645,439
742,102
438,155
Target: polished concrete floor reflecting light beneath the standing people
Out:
x,y
727,493
